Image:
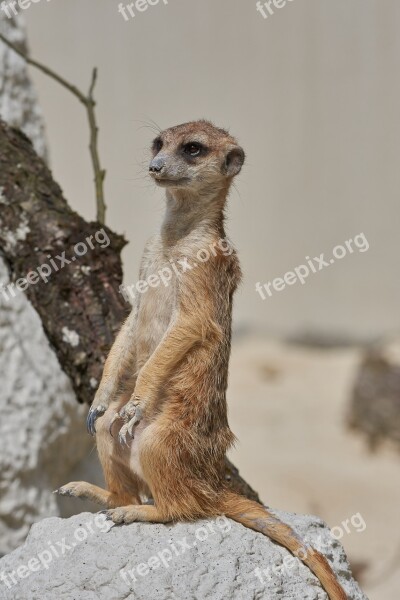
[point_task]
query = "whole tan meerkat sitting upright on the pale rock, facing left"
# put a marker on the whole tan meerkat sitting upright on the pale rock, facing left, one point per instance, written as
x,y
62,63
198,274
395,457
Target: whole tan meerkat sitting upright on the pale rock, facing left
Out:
x,y
160,412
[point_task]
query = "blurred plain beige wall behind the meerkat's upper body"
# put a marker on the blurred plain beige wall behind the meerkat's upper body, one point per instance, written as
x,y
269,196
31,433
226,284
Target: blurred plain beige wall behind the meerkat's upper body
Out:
x,y
312,93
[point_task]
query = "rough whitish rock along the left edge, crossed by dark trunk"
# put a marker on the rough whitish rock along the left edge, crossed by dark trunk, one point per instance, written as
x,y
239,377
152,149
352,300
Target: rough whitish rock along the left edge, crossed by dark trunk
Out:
x,y
39,412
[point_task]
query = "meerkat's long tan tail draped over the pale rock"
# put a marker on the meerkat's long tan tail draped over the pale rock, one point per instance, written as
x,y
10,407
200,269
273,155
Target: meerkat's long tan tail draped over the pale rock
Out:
x,y
256,517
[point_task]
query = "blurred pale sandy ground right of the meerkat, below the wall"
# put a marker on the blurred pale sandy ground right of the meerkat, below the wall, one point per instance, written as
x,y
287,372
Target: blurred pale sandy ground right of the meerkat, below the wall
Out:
x,y
287,407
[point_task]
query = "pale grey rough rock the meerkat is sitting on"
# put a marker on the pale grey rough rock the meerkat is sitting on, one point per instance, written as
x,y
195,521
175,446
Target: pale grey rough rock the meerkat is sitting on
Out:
x,y
213,560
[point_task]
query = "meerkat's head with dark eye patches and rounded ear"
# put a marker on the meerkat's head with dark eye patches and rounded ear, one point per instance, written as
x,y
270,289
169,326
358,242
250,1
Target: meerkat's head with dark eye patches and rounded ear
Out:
x,y
195,157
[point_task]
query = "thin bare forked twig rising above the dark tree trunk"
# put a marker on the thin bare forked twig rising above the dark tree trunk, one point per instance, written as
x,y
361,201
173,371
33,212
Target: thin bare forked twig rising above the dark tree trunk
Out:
x,y
89,103
